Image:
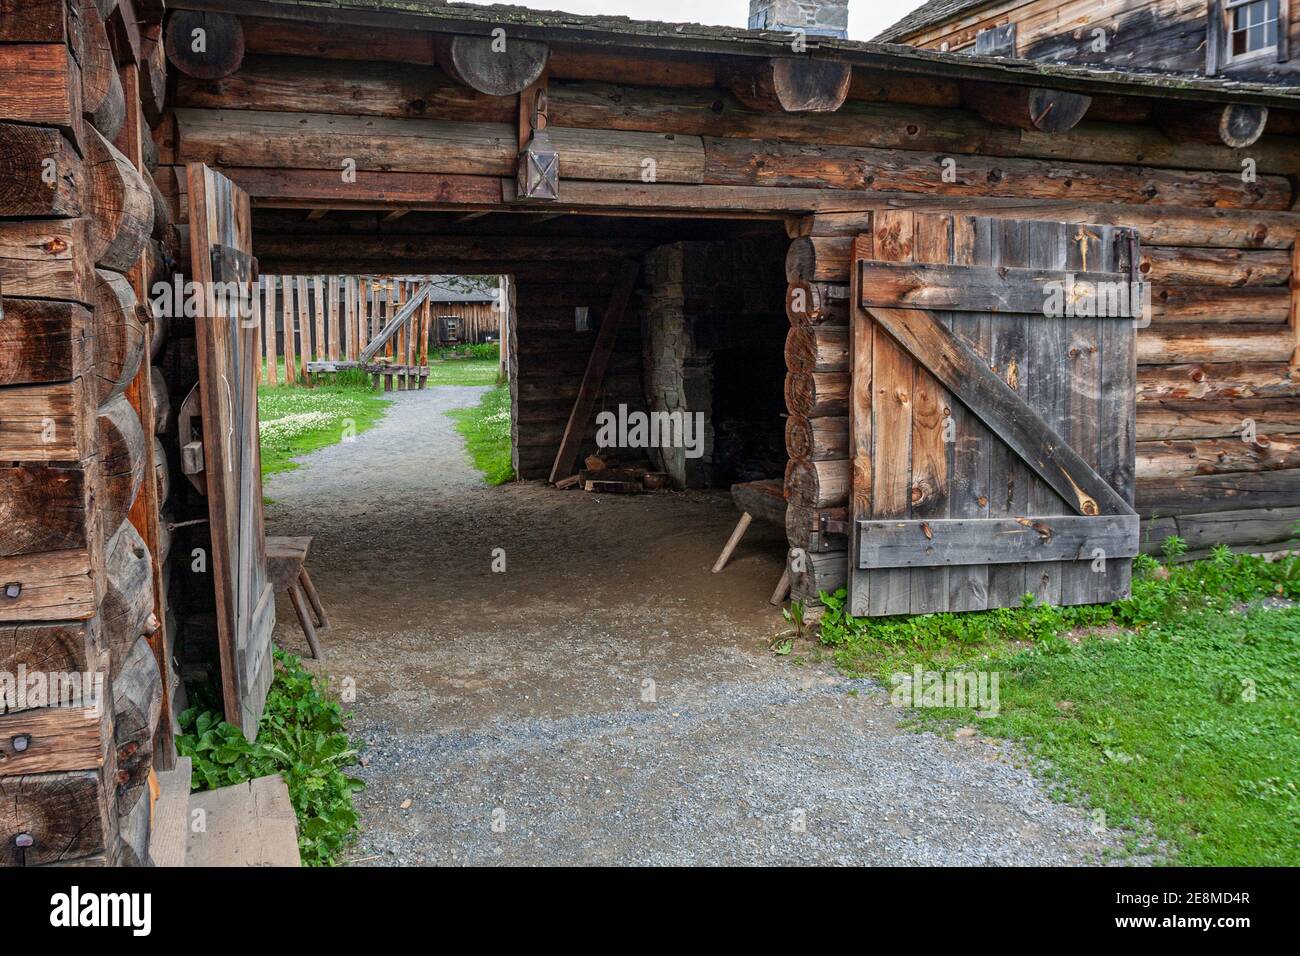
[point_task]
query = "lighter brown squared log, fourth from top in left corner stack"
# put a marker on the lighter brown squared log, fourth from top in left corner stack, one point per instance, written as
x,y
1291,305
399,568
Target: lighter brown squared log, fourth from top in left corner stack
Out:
x,y
47,259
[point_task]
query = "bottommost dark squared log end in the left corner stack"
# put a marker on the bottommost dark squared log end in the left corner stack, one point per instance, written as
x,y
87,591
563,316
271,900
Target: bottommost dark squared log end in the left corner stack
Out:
x,y
64,819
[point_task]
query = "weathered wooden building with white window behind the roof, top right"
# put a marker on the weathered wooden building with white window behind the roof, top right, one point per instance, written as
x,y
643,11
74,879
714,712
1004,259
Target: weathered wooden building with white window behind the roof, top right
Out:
x,y
1242,40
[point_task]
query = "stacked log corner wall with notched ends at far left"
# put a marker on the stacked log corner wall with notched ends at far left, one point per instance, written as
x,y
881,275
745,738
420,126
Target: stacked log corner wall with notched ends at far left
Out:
x,y
79,487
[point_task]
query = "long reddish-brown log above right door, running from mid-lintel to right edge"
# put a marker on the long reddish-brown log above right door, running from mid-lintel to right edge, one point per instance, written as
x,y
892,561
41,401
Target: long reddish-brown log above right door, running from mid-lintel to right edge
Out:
x,y
743,162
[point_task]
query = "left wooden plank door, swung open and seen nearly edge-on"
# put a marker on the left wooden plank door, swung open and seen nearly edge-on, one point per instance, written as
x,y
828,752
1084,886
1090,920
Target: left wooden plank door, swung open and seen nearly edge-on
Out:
x,y
228,349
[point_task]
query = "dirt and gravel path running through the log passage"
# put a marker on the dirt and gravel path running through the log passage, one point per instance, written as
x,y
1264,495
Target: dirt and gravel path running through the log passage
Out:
x,y
606,699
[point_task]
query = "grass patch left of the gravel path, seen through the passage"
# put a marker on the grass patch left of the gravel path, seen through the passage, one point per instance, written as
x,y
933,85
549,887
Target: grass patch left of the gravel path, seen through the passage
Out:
x,y
297,421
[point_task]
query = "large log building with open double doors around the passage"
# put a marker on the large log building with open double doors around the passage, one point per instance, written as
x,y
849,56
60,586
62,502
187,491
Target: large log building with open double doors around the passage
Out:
x,y
920,200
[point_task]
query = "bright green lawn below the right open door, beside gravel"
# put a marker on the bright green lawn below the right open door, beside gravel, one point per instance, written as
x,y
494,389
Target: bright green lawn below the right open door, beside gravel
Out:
x,y
1175,712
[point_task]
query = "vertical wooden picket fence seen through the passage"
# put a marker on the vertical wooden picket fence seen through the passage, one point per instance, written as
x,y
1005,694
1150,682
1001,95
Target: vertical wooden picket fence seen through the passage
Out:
x,y
307,319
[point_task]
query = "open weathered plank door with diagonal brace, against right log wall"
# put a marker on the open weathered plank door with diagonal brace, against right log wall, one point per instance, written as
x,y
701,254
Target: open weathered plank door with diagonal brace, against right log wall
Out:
x,y
993,414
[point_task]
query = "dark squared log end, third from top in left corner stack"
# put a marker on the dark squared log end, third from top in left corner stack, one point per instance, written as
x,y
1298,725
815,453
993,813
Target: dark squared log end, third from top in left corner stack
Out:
x,y
41,174
